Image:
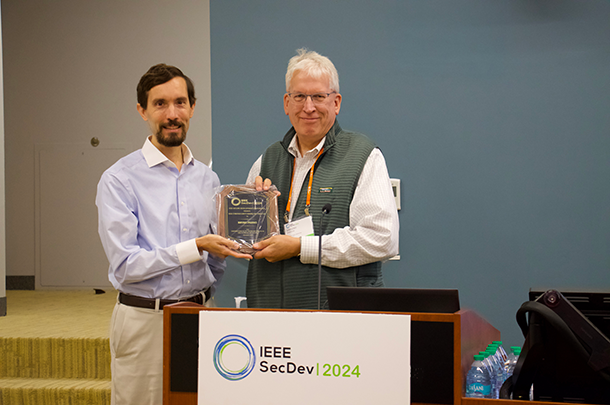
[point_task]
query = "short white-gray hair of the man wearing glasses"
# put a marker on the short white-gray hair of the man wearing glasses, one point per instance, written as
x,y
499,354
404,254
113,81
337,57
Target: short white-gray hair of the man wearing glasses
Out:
x,y
314,65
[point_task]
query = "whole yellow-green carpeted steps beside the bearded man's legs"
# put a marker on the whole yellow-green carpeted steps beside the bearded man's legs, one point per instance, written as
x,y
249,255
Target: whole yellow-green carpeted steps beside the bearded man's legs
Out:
x,y
54,348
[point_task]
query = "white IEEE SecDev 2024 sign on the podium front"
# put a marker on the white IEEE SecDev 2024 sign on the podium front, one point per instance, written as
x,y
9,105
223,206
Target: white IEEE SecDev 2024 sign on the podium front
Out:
x,y
279,357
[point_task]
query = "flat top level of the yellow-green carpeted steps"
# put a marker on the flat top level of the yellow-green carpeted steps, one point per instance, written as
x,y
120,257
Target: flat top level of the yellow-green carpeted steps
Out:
x,y
57,314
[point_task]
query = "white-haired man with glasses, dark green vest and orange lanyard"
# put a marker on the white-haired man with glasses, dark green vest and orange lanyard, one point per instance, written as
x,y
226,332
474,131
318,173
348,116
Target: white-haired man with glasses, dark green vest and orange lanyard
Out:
x,y
320,165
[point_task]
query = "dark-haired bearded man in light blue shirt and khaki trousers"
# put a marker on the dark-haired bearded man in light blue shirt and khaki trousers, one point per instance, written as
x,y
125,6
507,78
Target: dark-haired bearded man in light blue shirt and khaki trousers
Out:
x,y
156,218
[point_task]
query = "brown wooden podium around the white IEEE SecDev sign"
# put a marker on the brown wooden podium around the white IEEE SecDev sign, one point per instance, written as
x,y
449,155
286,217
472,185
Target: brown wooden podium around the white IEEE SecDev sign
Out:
x,y
442,348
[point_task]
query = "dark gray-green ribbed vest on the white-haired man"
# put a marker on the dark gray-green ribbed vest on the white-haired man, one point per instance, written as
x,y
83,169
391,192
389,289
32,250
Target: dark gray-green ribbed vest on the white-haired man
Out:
x,y
289,283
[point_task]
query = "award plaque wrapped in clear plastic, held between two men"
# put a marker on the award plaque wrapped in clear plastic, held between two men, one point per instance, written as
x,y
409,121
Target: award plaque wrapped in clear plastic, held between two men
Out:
x,y
245,215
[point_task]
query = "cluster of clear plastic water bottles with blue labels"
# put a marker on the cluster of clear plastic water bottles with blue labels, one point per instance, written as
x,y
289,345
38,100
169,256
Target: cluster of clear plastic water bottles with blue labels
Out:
x,y
489,371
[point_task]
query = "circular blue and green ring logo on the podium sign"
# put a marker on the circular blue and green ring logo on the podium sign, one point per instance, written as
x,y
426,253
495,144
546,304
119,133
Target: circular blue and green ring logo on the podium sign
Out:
x,y
234,357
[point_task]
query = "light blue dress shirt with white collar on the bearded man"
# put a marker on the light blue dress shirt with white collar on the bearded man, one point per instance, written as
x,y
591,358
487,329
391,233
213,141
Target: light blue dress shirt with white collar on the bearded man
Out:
x,y
149,216
